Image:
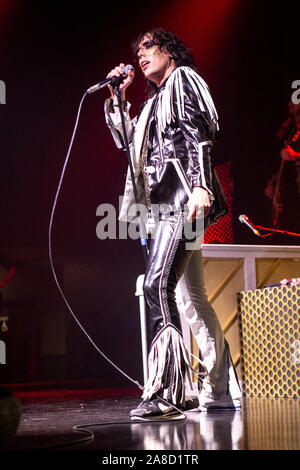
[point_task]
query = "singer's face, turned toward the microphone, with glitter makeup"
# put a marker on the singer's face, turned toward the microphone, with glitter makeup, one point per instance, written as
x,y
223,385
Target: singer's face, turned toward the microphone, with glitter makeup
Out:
x,y
155,64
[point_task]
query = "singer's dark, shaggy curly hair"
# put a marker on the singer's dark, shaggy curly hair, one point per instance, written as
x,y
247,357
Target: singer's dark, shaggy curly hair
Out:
x,y
163,38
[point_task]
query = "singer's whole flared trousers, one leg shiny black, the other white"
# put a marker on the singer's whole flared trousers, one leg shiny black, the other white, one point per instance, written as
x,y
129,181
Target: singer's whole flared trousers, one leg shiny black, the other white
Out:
x,y
173,255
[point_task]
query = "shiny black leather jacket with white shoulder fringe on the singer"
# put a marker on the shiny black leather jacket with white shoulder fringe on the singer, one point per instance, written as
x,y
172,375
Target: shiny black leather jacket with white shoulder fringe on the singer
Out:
x,y
176,154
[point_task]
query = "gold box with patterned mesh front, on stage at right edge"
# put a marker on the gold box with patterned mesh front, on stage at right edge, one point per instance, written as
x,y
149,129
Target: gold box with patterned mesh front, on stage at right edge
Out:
x,y
270,343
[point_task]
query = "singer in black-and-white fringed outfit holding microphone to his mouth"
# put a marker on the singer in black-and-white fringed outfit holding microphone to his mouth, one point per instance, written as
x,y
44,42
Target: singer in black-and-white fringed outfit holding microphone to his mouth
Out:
x,y
177,123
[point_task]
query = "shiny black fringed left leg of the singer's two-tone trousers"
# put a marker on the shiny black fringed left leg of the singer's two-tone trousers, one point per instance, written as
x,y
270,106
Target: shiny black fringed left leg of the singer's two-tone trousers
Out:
x,y
167,260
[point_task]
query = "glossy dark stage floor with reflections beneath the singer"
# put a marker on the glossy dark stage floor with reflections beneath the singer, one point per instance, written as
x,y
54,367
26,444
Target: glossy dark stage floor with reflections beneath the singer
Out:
x,y
47,422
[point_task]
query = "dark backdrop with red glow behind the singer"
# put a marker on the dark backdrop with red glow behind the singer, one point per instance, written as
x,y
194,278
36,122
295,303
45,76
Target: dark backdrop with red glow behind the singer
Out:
x,y
50,53
